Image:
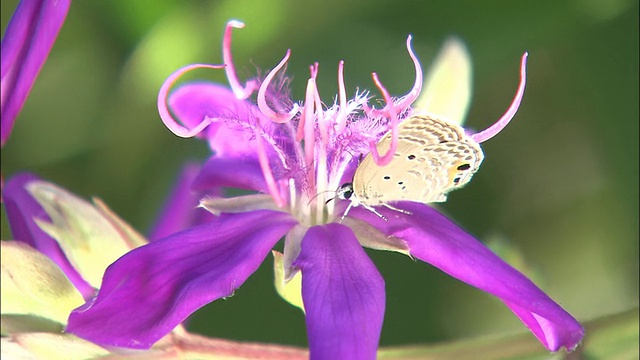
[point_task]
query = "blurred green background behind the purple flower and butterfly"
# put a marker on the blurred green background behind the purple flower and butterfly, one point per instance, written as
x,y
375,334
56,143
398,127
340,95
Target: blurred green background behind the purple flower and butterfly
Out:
x,y
557,194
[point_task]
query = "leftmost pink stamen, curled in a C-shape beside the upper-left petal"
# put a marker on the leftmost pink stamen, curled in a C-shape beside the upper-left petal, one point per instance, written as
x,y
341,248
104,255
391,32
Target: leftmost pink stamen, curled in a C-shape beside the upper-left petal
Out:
x,y
163,109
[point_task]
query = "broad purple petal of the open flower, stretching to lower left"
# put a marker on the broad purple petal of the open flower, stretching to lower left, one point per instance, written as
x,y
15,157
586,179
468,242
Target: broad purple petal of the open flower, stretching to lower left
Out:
x,y
152,289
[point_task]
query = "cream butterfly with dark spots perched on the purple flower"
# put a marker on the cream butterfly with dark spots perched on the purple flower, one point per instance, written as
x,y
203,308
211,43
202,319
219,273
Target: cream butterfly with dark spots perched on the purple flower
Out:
x,y
434,156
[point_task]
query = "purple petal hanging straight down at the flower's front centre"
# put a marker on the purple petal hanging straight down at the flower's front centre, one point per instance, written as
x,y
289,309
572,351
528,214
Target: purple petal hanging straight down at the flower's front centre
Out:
x,y
343,294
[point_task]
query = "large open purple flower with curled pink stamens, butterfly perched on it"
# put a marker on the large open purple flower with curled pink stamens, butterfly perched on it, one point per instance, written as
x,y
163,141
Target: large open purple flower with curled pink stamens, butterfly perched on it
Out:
x,y
295,156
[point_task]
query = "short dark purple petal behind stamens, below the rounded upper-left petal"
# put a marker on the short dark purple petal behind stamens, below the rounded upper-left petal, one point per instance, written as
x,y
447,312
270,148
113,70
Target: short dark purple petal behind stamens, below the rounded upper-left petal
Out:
x,y
242,173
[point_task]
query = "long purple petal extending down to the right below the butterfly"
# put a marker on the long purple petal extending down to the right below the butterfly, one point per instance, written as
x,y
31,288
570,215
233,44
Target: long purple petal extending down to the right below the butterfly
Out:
x,y
436,240
